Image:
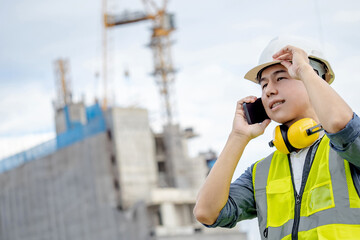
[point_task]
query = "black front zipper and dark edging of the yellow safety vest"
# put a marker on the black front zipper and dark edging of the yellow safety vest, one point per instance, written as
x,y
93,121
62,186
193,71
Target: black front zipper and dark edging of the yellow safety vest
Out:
x,y
298,197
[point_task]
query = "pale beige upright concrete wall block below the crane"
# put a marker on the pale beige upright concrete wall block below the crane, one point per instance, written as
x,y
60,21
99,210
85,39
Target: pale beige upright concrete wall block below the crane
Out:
x,y
135,154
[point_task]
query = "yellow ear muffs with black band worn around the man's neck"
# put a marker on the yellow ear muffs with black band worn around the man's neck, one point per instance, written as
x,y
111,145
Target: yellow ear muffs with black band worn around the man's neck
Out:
x,y
301,134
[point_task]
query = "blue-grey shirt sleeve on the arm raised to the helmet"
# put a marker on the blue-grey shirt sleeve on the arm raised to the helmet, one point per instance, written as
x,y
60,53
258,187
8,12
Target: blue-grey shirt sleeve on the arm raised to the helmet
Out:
x,y
347,141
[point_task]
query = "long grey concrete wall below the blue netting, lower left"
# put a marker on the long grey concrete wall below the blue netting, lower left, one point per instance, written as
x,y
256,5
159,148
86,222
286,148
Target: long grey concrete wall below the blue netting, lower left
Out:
x,y
67,195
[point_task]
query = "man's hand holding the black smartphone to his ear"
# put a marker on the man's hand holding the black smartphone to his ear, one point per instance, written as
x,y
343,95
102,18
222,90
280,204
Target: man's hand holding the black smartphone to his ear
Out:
x,y
241,126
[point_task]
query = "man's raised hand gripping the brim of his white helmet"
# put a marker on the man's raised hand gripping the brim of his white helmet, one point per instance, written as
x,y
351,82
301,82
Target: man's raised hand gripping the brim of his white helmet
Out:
x,y
294,59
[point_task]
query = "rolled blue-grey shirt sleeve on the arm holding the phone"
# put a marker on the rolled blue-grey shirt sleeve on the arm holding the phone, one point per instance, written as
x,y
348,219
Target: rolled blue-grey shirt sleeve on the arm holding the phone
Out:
x,y
240,204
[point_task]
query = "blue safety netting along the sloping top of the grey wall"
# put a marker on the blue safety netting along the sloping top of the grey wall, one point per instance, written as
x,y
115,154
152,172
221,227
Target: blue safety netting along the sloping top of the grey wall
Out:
x,y
75,133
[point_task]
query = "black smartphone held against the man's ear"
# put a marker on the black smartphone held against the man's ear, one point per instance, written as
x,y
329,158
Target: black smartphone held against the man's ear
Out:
x,y
255,112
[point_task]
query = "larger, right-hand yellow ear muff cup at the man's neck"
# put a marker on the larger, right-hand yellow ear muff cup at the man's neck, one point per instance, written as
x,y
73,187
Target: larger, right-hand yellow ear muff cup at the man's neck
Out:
x,y
297,135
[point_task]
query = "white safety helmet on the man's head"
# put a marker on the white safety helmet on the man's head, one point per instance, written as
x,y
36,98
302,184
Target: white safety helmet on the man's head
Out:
x,y
316,58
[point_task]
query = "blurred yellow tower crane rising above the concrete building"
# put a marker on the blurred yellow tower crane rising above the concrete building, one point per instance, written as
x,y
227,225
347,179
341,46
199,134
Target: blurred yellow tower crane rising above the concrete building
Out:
x,y
163,26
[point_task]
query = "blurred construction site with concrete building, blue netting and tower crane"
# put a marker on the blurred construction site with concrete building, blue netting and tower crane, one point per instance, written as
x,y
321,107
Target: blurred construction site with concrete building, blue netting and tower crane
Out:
x,y
107,174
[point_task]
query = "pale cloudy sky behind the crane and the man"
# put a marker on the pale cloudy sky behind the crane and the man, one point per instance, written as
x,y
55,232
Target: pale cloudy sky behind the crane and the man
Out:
x,y
214,45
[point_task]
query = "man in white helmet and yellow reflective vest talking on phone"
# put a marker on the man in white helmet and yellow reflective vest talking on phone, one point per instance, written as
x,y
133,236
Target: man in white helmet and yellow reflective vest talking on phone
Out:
x,y
307,193
